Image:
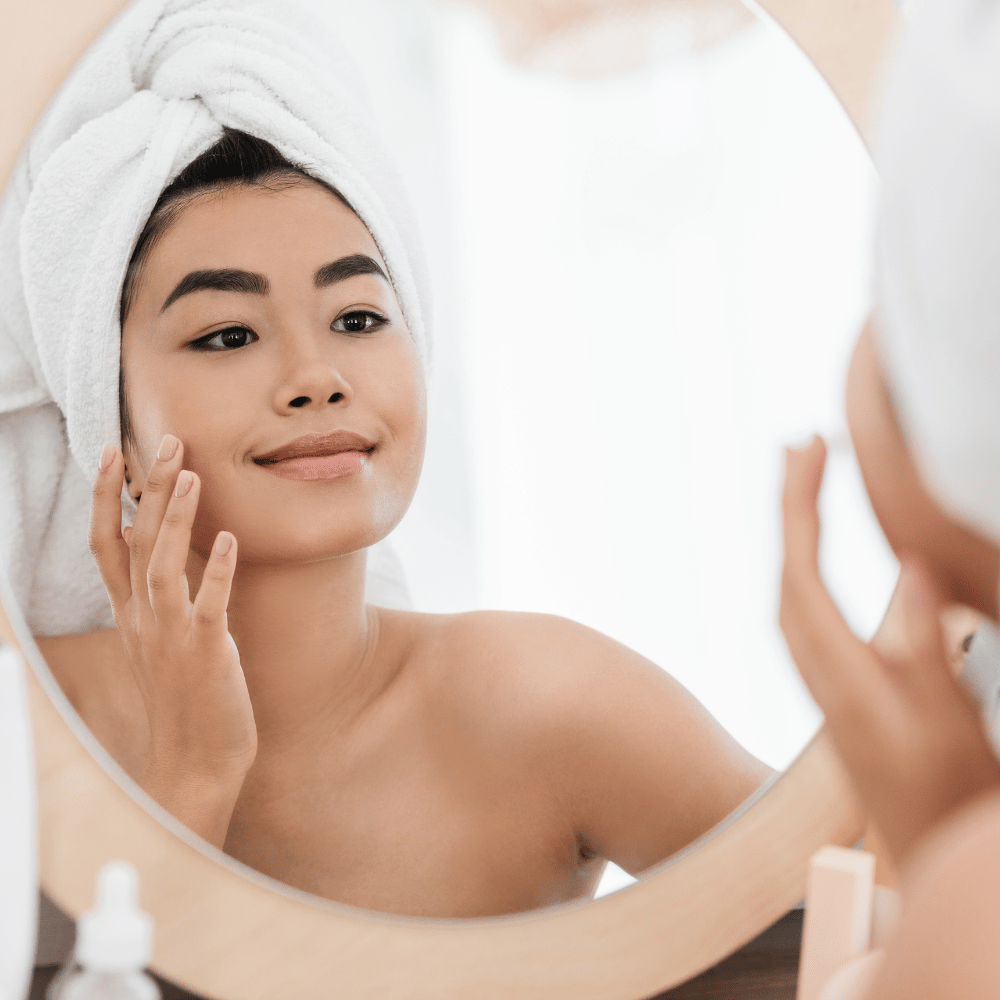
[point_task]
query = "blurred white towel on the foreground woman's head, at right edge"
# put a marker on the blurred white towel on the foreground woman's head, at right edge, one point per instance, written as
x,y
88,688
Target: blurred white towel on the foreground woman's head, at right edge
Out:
x,y
938,249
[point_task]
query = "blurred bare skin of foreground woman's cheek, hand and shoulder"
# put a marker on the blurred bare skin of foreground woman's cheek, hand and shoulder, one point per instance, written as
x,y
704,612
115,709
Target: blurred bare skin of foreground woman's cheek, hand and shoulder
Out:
x,y
909,735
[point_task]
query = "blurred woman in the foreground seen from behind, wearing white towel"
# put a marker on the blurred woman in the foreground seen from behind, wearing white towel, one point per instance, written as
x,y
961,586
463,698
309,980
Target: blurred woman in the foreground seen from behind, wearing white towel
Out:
x,y
922,405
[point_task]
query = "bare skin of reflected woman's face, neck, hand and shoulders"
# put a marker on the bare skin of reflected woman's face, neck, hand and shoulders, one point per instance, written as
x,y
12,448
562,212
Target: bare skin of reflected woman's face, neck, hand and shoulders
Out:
x,y
436,765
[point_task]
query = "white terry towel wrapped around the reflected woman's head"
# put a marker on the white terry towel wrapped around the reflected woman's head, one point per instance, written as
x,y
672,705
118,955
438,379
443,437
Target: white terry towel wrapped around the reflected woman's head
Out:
x,y
151,94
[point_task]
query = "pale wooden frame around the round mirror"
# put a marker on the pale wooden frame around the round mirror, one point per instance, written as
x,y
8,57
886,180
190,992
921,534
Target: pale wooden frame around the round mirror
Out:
x,y
228,933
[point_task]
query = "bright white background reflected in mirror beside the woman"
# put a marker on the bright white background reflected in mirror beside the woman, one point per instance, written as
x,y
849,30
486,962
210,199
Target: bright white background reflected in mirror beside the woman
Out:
x,y
648,284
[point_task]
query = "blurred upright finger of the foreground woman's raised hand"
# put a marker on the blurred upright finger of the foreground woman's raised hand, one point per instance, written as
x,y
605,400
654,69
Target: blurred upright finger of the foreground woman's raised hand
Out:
x,y
842,673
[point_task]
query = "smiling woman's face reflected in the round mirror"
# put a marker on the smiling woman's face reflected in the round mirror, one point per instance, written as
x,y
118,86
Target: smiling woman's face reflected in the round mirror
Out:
x,y
263,321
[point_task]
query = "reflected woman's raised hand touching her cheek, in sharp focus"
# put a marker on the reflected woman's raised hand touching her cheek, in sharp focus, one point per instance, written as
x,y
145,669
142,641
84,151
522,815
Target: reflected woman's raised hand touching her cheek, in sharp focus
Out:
x,y
203,738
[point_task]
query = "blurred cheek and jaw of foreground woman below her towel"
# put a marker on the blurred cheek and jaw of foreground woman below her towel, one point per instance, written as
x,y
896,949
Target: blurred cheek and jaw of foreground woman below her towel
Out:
x,y
965,564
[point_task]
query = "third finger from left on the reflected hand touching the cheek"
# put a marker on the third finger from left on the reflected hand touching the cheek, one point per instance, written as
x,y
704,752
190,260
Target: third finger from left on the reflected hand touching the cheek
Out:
x,y
166,574
